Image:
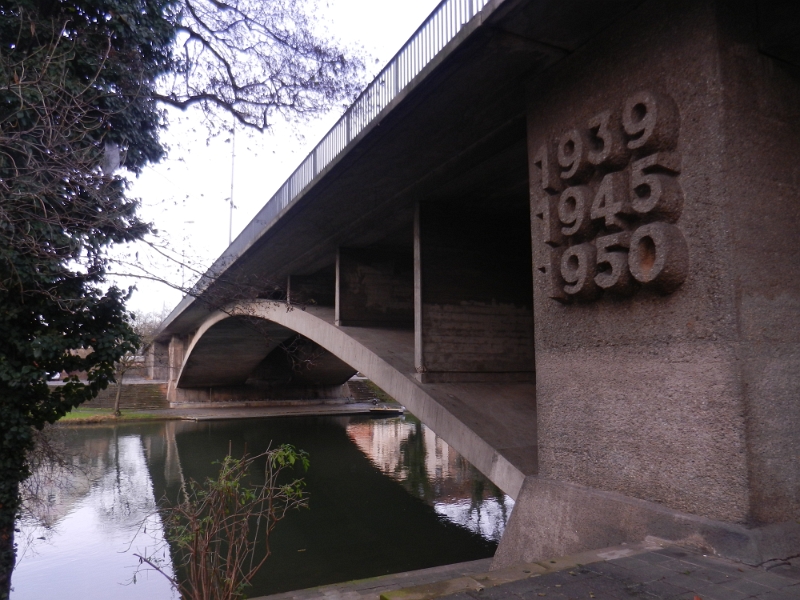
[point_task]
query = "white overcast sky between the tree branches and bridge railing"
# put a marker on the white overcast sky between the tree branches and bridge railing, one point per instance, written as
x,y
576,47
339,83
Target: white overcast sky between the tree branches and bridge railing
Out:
x,y
186,195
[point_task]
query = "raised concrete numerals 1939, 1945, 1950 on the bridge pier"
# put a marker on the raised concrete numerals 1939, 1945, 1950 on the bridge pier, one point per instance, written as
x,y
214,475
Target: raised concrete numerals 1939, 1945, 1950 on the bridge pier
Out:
x,y
611,198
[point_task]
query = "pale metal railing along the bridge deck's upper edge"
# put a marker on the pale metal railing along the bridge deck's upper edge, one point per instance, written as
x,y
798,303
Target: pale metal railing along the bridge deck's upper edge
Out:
x,y
439,28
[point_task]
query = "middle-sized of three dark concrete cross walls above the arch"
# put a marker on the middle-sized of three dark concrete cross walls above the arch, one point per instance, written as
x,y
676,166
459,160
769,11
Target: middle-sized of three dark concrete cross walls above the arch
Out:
x,y
374,287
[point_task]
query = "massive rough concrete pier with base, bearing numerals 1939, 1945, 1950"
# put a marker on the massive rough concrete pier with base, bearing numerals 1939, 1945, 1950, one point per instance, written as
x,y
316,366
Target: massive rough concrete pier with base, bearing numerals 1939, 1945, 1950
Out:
x,y
667,338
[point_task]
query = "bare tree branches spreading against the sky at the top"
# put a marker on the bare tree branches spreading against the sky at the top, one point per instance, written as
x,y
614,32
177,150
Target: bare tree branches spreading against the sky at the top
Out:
x,y
255,59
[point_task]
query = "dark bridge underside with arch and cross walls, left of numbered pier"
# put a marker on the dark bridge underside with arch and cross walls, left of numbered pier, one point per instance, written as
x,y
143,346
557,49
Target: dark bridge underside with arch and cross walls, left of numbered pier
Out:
x,y
417,244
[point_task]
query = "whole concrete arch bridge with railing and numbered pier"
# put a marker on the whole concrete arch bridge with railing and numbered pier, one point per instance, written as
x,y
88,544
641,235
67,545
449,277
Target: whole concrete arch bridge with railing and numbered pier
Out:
x,y
562,233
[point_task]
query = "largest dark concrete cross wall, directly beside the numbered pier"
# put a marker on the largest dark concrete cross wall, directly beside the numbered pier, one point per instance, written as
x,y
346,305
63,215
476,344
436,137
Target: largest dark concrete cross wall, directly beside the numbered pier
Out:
x,y
472,295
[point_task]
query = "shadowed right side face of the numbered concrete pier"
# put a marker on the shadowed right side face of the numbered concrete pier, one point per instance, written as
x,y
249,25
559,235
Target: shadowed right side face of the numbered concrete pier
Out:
x,y
761,178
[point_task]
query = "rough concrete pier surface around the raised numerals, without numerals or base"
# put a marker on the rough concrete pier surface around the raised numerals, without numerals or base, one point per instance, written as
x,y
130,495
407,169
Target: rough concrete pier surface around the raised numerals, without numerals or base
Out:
x,y
684,399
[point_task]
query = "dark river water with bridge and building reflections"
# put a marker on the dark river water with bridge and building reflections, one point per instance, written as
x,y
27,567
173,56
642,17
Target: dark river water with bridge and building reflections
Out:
x,y
386,495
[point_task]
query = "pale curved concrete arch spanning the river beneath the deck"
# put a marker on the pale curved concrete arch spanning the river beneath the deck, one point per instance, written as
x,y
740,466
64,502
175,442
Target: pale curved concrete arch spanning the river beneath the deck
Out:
x,y
384,356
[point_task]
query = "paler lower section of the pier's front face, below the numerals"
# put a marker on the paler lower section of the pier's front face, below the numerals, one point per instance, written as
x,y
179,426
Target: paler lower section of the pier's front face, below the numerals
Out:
x,y
642,428
